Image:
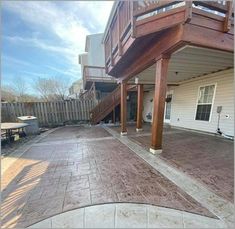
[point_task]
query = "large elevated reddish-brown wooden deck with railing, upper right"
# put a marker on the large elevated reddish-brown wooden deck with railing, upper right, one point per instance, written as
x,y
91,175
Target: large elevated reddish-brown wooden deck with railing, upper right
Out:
x,y
144,32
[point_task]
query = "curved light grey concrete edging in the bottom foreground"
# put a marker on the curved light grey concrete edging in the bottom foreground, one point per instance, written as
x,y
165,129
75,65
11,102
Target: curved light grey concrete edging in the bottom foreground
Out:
x,y
128,215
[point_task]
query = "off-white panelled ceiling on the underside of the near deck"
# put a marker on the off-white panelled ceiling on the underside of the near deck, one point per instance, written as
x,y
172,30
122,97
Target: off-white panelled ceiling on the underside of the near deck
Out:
x,y
190,62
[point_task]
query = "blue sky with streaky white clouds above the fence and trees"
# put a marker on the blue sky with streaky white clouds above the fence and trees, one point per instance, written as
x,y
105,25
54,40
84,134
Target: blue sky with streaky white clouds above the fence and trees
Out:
x,y
44,38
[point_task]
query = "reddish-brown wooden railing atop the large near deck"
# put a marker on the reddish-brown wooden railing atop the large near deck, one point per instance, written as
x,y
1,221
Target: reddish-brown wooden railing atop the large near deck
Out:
x,y
129,14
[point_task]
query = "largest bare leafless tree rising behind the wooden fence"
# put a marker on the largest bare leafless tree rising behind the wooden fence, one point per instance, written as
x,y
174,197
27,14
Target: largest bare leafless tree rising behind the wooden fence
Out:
x,y
51,89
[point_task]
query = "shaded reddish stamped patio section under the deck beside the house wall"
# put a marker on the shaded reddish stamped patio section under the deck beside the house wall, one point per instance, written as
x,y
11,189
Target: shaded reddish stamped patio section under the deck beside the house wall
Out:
x,y
209,159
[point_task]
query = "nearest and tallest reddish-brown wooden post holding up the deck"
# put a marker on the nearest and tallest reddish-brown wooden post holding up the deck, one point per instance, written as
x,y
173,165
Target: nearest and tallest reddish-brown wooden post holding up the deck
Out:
x,y
159,104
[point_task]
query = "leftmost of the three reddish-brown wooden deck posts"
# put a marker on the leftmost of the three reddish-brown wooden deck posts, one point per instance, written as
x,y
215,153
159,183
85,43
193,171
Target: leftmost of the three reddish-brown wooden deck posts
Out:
x,y
123,108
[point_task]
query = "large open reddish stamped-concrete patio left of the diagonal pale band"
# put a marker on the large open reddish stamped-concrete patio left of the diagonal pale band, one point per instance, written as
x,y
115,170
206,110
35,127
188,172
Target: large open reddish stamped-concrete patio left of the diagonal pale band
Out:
x,y
53,178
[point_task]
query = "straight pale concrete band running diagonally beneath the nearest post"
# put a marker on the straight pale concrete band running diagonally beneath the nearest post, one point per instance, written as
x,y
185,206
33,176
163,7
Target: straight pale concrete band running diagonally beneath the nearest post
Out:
x,y
222,208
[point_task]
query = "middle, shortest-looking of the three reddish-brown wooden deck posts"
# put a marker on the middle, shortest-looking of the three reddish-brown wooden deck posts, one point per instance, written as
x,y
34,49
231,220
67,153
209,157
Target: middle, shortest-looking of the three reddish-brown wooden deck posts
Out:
x,y
140,93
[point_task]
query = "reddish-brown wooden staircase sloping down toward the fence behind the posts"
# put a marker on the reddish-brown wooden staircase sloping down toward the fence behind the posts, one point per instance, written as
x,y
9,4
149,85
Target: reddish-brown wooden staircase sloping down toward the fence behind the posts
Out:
x,y
106,105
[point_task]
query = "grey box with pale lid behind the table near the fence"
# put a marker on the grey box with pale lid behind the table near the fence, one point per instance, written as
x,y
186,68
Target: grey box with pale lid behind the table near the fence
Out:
x,y
32,128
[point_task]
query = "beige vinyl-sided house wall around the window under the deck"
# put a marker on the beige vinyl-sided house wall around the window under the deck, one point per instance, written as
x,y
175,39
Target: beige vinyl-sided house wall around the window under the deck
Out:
x,y
184,103
